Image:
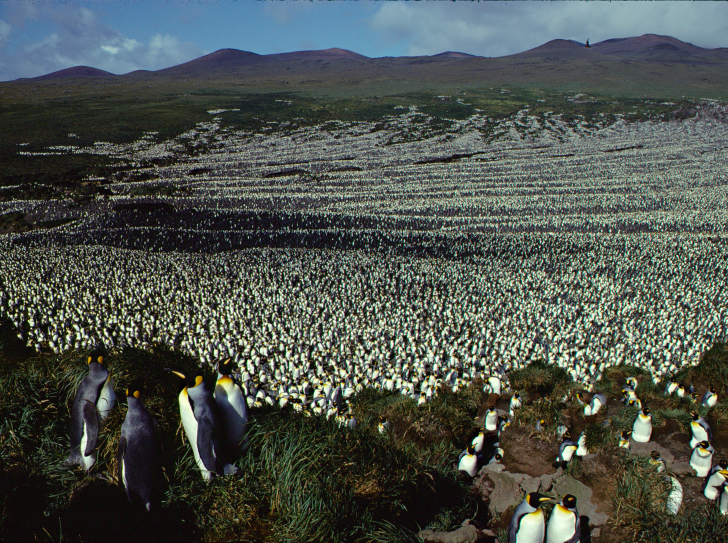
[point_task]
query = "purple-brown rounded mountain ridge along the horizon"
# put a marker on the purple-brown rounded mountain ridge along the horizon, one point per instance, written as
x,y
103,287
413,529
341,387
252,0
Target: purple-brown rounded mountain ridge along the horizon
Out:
x,y
647,48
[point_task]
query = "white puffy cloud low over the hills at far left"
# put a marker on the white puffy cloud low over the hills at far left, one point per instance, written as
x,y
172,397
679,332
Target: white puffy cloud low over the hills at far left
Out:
x,y
81,39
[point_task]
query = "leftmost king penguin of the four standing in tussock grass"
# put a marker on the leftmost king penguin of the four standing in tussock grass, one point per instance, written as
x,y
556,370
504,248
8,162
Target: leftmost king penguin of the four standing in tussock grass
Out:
x,y
94,399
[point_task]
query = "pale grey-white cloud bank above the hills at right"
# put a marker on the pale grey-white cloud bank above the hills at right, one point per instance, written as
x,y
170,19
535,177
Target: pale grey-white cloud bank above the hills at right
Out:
x,y
502,28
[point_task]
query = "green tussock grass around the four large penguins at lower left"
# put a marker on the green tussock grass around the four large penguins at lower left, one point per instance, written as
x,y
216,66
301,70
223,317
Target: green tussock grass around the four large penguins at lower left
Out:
x,y
303,478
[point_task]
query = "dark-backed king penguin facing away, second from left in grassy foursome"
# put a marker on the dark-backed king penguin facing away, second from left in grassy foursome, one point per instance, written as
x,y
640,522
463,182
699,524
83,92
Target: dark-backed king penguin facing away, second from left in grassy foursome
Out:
x,y
139,454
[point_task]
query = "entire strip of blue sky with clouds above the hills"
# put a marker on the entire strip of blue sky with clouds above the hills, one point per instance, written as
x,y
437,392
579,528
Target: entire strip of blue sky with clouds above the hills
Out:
x,y
39,37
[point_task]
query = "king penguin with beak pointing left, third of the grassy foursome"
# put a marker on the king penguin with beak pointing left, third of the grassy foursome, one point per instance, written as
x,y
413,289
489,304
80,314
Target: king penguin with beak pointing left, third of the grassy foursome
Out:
x,y
202,422
